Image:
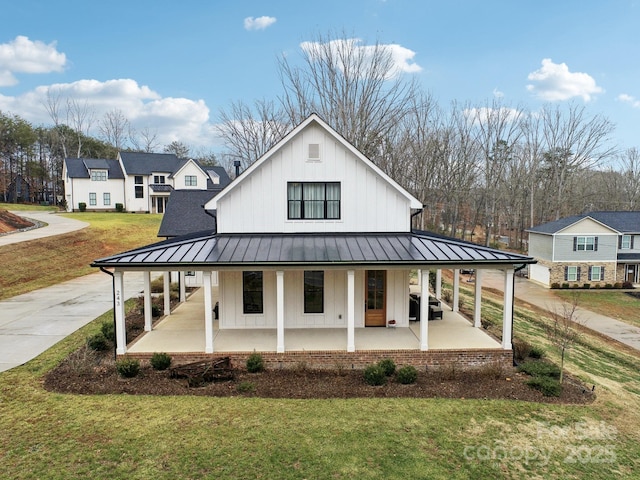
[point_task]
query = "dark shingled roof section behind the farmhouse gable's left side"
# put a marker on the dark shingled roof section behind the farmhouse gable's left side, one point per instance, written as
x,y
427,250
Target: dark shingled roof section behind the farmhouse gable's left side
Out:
x,y
185,213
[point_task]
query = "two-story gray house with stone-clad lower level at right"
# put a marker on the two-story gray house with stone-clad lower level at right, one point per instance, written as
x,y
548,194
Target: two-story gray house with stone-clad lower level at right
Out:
x,y
596,248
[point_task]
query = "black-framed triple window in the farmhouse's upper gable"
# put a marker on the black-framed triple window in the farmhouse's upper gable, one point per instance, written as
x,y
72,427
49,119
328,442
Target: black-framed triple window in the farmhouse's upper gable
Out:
x,y
313,200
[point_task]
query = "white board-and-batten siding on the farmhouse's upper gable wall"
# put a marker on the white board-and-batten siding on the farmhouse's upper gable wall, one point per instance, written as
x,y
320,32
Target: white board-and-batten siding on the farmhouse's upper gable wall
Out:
x,y
259,203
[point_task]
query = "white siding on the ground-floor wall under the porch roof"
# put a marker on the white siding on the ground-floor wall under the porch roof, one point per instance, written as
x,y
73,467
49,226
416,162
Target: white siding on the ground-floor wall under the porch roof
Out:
x,y
335,300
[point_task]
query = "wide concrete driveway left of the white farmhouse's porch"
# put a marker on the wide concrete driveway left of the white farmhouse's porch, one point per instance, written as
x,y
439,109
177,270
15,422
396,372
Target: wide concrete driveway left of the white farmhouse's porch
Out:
x,y
33,322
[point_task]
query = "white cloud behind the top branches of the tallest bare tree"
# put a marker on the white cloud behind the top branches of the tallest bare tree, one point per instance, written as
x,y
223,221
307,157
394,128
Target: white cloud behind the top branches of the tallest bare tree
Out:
x,y
402,57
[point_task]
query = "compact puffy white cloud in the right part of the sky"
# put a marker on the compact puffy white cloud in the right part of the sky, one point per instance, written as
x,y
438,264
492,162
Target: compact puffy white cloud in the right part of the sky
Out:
x,y
554,82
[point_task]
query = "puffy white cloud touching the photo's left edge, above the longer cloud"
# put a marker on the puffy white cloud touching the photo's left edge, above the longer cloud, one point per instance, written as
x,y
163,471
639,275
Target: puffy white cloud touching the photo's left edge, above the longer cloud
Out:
x,y
22,55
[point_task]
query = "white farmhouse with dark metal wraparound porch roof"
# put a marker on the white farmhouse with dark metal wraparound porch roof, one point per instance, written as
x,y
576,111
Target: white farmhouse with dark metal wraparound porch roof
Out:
x,y
313,250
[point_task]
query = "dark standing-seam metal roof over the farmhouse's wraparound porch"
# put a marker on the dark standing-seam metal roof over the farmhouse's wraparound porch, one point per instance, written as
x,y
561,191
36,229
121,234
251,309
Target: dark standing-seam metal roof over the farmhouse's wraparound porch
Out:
x,y
250,250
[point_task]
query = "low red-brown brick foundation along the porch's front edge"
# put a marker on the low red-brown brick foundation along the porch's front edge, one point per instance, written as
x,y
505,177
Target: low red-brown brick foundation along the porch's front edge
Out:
x,y
465,359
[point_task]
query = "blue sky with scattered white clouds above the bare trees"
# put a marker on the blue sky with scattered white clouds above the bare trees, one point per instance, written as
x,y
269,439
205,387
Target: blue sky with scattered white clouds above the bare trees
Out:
x,y
170,66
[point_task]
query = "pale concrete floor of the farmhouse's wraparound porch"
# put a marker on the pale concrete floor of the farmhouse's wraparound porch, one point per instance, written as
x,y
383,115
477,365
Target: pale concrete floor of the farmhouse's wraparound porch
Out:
x,y
183,331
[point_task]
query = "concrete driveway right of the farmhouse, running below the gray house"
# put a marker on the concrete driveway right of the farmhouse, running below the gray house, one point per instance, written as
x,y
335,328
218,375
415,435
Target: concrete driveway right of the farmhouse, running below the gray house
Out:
x,y
531,292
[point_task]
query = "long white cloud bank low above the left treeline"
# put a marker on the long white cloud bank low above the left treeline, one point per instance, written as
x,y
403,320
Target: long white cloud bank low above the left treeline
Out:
x,y
172,118
